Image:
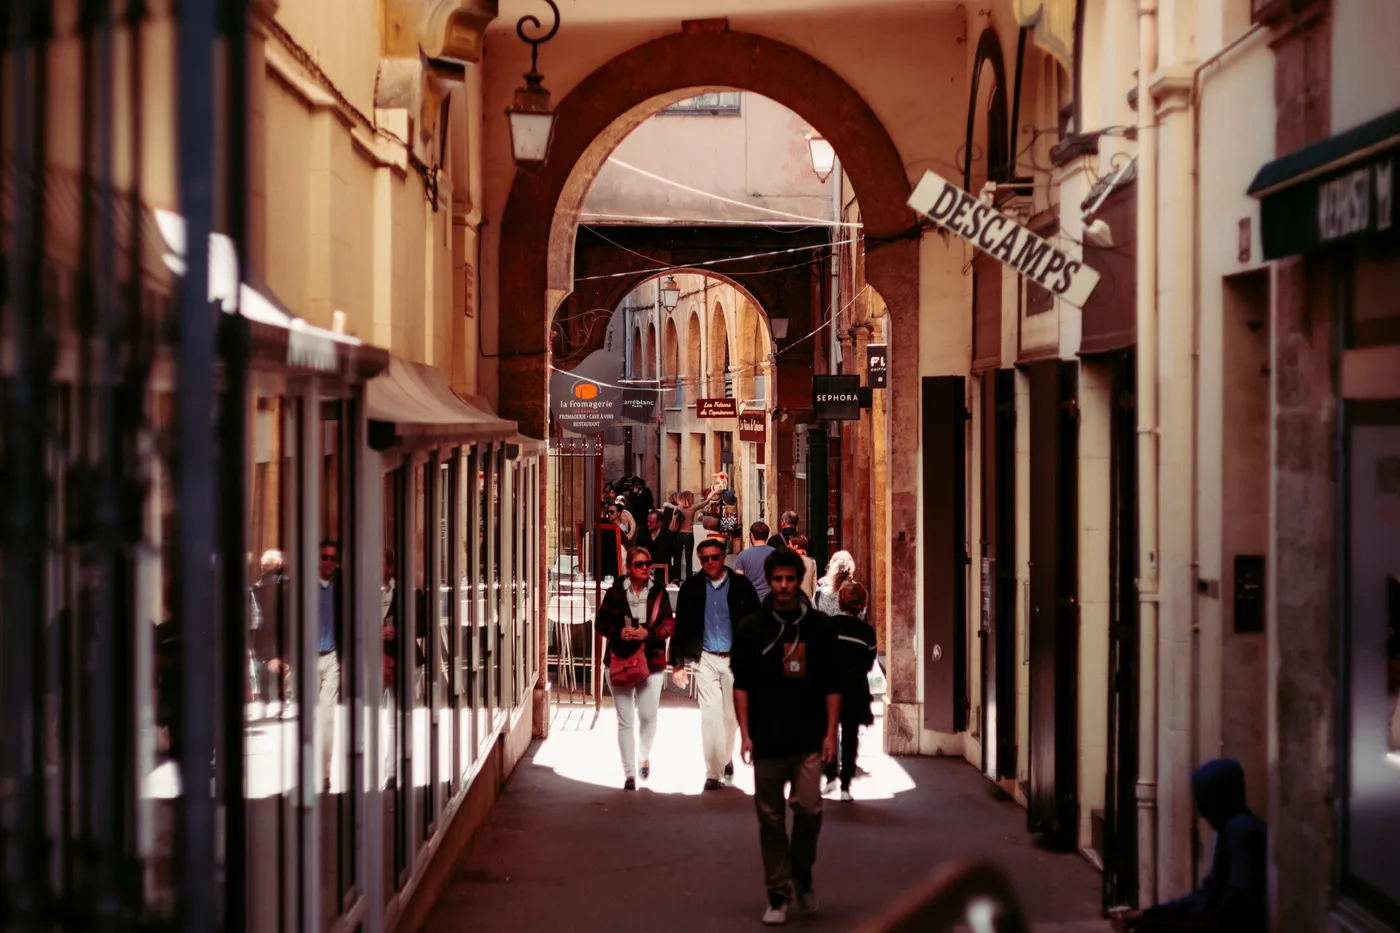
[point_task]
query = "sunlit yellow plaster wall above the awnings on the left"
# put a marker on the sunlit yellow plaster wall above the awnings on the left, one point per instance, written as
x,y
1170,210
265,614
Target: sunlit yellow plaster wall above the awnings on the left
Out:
x,y
346,223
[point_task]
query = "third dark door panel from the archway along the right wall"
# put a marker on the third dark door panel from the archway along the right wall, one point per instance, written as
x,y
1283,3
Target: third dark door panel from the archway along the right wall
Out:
x,y
1055,613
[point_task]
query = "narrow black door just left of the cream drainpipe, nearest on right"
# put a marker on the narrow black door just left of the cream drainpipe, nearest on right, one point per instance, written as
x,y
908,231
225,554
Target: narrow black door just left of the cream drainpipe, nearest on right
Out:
x,y
1119,798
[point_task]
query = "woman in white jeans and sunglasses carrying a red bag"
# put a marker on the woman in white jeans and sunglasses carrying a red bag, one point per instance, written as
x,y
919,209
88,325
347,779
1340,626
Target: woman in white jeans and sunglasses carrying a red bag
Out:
x,y
635,616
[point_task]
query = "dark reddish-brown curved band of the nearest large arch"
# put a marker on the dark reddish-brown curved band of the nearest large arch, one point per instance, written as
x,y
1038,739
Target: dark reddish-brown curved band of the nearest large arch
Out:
x,y
597,114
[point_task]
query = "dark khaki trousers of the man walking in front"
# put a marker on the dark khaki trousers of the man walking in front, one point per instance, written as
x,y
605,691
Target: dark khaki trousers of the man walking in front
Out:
x,y
783,861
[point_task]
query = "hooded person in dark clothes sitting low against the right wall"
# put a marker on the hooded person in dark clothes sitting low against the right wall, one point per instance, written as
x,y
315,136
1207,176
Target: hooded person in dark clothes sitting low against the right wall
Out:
x,y
1233,899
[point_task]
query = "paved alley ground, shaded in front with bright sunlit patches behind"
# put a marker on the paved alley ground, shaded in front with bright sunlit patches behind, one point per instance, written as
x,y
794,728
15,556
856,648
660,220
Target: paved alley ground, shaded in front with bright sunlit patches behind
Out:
x,y
565,844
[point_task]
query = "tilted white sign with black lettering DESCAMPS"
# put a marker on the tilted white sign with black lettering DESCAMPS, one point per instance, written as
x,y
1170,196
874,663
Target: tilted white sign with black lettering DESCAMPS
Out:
x,y
1003,239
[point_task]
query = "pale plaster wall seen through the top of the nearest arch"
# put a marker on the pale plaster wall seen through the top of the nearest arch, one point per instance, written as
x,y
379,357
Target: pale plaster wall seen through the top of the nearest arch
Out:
x,y
758,156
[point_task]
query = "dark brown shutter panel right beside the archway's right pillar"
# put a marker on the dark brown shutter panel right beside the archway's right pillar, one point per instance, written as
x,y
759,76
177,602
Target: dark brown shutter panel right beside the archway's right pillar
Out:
x,y
944,554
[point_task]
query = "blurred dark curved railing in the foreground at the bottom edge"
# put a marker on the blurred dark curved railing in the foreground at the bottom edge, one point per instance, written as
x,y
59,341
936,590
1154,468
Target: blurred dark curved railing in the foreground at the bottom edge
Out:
x,y
975,896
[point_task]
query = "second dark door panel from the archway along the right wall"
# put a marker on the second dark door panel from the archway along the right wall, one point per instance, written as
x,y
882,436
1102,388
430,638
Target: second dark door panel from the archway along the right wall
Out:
x,y
999,575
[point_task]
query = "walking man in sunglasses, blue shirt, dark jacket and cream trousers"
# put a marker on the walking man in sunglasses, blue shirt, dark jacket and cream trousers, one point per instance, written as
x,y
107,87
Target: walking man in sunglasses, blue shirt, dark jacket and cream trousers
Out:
x,y
709,609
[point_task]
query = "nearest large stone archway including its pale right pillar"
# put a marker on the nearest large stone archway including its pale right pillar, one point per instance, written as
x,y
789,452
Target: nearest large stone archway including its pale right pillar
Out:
x,y
541,219
